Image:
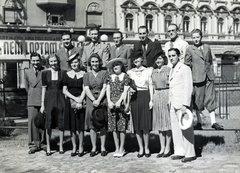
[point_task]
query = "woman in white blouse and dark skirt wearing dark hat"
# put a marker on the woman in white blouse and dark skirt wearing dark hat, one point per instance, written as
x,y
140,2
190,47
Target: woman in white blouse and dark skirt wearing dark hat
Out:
x,y
141,105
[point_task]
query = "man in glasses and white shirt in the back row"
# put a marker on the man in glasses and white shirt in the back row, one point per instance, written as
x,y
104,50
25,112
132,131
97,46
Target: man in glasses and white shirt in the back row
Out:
x,y
175,42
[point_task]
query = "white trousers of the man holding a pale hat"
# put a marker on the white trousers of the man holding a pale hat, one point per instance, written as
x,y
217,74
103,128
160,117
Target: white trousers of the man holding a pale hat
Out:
x,y
183,140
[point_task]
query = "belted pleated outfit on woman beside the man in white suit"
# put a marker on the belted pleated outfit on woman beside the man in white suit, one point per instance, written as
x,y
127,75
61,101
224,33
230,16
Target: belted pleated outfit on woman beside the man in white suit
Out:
x,y
161,114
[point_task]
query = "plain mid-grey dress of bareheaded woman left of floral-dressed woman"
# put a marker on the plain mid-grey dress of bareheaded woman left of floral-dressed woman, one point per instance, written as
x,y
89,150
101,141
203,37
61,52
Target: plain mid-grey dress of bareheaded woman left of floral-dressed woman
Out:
x,y
95,85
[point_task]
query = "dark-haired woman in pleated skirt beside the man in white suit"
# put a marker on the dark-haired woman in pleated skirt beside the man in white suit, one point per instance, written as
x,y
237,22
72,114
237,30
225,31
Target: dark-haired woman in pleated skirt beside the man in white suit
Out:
x,y
161,114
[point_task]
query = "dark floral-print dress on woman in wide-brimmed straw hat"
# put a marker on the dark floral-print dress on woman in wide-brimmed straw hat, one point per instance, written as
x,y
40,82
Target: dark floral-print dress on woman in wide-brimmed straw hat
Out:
x,y
117,120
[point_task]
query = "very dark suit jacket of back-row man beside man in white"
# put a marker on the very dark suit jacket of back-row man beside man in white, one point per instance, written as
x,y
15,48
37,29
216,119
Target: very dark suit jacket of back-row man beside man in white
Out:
x,y
151,50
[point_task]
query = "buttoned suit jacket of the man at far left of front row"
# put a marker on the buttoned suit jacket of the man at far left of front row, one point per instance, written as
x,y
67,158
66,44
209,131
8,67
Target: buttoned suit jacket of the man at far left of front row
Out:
x,y
33,86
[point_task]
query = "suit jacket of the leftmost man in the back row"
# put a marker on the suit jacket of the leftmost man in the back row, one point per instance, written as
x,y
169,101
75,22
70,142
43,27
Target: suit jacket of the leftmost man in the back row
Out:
x,y
63,56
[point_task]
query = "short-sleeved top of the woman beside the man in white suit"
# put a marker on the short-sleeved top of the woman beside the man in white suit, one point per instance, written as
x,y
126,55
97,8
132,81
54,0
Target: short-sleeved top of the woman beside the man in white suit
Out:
x,y
160,77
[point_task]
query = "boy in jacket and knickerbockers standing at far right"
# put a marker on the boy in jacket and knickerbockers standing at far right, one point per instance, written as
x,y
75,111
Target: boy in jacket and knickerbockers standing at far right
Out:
x,y
199,59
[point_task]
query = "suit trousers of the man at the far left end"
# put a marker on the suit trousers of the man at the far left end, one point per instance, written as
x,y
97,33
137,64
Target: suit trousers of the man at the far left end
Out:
x,y
34,134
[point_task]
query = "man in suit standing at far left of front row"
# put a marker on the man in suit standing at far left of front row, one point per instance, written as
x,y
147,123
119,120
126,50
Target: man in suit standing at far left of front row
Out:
x,y
33,86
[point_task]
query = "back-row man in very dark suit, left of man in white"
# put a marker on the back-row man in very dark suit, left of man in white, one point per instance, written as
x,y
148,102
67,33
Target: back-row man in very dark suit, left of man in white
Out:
x,y
147,46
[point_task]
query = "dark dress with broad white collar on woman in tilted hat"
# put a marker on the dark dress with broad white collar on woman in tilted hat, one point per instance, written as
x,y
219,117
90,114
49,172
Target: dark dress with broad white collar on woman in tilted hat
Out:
x,y
74,120
